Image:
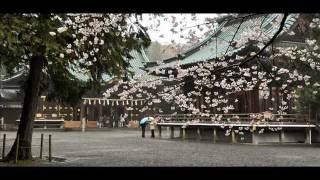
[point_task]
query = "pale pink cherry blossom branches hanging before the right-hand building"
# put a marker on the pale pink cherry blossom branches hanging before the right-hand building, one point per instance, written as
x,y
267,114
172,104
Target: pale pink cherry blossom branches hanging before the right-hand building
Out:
x,y
250,62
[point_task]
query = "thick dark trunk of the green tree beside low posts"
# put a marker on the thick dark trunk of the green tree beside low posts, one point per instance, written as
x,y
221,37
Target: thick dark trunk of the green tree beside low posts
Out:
x,y
30,102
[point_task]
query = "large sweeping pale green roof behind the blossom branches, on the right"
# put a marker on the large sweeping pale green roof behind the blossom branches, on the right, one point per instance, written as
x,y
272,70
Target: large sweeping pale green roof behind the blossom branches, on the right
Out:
x,y
217,44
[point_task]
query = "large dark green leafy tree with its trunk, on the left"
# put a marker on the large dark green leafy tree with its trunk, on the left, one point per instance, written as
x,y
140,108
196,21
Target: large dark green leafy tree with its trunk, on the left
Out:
x,y
52,47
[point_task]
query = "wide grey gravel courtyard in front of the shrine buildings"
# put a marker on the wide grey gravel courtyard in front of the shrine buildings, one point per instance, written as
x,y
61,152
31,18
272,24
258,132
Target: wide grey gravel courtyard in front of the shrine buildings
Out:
x,y
121,147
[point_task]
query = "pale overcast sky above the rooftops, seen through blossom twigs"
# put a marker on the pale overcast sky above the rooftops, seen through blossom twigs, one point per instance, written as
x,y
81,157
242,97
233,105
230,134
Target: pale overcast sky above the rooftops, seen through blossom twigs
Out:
x,y
184,20
